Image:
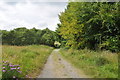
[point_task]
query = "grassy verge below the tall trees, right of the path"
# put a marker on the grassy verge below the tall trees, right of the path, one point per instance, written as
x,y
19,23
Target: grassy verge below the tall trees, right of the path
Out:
x,y
102,64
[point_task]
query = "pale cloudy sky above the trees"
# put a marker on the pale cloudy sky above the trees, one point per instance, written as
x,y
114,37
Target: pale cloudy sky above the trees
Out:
x,y
39,14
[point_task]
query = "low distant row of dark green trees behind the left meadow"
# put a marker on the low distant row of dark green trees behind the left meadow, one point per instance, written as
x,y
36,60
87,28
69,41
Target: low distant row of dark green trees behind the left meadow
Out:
x,y
23,36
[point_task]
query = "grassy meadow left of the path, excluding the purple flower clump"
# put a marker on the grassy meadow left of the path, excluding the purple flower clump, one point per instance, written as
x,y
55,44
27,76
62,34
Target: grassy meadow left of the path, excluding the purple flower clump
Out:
x,y
30,58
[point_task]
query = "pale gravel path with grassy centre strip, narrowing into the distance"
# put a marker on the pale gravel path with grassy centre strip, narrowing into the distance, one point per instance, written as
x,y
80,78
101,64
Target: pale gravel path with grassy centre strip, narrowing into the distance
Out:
x,y
57,67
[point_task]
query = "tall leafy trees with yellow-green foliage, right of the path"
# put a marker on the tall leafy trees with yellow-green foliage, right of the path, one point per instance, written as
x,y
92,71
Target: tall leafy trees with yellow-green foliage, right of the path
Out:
x,y
94,25
